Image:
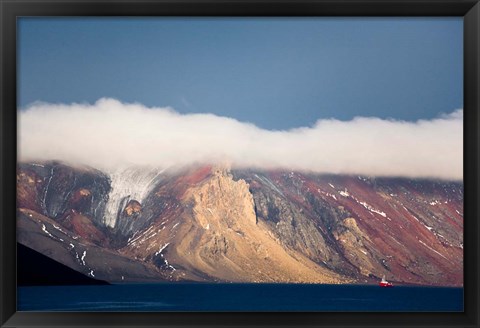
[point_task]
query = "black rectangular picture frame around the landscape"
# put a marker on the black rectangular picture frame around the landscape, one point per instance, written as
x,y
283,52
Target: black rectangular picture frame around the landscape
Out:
x,y
10,10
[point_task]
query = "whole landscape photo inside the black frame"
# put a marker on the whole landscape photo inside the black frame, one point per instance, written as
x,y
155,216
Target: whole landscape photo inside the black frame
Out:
x,y
240,164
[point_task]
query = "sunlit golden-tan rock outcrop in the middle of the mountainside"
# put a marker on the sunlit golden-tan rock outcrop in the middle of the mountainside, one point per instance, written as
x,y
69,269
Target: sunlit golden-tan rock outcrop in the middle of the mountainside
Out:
x,y
225,241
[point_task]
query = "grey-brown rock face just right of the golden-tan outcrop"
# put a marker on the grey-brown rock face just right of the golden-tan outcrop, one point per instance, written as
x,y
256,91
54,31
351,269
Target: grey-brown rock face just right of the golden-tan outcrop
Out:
x,y
301,225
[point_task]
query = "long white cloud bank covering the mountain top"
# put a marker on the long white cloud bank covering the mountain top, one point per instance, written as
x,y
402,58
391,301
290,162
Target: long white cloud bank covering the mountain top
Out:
x,y
109,133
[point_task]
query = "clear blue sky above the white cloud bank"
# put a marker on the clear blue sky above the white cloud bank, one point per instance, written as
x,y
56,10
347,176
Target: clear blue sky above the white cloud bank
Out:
x,y
277,73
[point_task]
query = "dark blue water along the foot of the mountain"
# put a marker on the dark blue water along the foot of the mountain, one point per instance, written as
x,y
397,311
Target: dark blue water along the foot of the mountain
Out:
x,y
238,297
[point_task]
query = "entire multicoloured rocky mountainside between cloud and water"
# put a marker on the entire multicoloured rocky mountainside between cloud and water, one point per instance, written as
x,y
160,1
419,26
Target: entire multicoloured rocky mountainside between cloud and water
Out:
x,y
213,223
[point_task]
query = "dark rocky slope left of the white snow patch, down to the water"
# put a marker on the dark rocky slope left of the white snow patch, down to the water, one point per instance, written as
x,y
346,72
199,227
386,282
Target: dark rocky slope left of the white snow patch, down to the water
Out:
x,y
61,214
